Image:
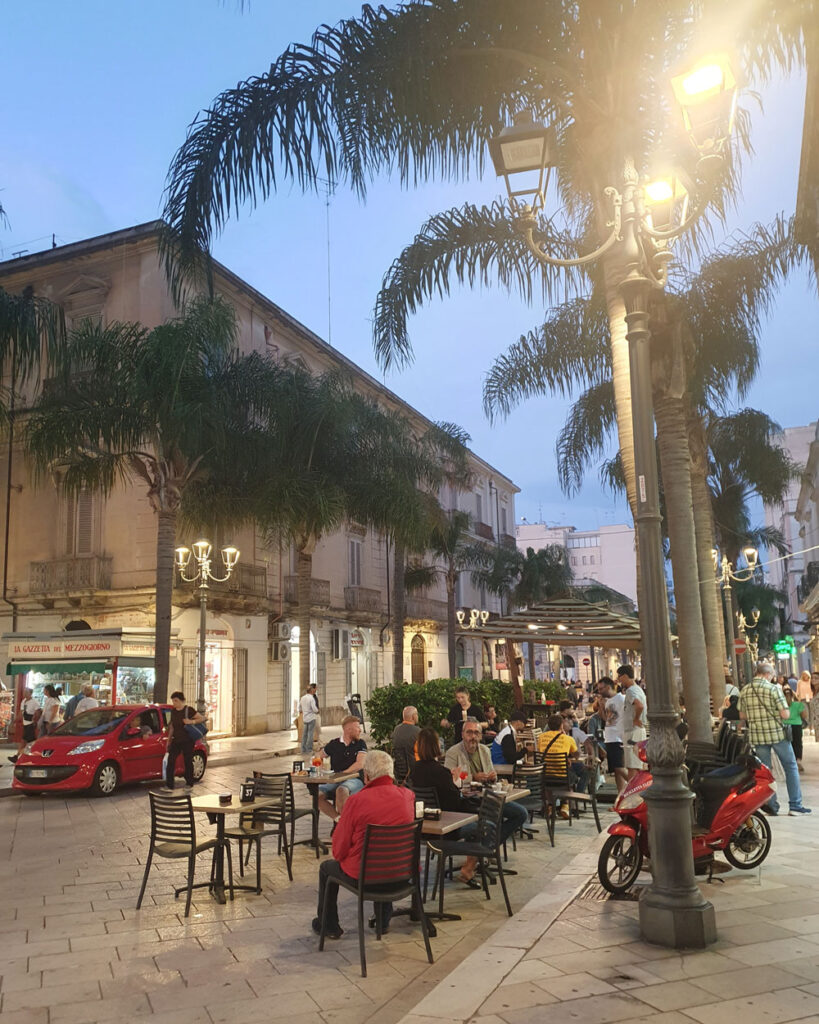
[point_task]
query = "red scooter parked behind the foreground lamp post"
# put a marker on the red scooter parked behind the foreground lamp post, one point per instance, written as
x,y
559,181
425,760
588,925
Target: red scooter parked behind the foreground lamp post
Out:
x,y
727,816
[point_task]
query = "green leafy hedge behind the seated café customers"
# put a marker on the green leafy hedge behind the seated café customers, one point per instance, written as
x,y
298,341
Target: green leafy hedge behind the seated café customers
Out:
x,y
434,701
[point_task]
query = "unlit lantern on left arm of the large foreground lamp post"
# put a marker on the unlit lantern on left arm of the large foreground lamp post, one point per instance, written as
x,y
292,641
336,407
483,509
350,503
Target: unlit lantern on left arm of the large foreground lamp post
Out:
x,y
525,148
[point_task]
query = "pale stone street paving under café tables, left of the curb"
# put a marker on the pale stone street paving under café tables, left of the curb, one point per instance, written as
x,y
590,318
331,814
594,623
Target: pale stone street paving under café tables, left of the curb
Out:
x,y
73,949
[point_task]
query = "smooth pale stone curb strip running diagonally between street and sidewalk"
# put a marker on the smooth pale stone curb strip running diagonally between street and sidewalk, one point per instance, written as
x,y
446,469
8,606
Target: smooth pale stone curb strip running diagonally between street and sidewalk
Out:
x,y
492,962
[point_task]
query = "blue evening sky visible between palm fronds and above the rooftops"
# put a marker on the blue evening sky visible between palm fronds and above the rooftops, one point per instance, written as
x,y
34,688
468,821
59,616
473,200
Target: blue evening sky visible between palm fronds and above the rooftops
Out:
x,y
98,100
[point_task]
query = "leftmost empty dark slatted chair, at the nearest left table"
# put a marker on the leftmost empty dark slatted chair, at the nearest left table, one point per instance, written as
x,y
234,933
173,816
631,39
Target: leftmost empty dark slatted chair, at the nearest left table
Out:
x,y
174,835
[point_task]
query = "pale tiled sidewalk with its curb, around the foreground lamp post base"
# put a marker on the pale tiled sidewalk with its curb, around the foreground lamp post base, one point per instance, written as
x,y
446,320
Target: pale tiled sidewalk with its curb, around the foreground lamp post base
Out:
x,y
583,961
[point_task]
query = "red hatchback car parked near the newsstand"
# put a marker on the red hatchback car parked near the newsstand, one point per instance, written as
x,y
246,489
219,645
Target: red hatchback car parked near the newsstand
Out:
x,y
101,749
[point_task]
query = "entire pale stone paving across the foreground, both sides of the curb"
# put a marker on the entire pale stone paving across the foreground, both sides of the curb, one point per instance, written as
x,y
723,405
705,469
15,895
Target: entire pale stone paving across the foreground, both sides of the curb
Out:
x,y
74,950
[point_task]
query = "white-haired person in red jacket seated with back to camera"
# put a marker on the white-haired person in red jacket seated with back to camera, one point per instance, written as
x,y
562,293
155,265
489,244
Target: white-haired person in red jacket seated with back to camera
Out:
x,y
380,803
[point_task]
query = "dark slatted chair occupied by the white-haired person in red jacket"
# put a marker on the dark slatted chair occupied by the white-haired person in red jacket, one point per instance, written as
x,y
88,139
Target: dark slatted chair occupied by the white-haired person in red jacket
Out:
x,y
389,873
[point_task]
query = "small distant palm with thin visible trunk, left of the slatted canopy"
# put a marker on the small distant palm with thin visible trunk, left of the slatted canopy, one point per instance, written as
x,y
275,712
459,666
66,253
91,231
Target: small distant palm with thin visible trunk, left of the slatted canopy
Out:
x,y
452,551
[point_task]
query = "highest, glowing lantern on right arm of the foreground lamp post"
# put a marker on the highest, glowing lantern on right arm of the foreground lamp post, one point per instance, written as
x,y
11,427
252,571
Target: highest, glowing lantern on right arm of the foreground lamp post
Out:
x,y
707,95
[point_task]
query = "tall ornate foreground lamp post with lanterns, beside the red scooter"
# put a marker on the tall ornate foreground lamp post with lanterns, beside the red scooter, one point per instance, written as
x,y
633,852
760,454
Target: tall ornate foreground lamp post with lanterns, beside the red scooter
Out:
x,y
644,218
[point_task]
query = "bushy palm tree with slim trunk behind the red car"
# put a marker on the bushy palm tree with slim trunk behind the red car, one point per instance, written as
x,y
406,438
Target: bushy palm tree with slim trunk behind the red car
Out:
x,y
151,406
